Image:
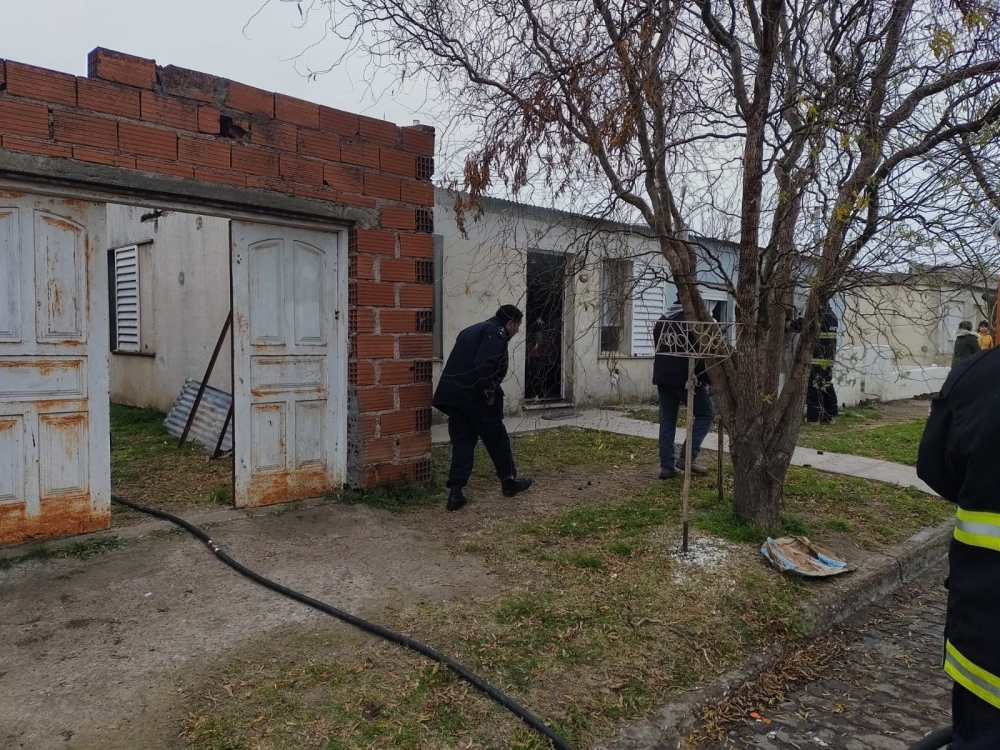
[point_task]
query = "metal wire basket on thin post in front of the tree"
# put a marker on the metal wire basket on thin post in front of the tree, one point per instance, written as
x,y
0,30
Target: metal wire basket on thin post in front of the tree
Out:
x,y
695,341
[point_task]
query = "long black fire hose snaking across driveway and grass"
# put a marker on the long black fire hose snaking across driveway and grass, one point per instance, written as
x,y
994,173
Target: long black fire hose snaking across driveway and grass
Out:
x,y
476,681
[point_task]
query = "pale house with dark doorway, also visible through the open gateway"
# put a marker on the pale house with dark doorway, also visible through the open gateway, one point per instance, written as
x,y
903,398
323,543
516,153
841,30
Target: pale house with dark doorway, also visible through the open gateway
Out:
x,y
591,291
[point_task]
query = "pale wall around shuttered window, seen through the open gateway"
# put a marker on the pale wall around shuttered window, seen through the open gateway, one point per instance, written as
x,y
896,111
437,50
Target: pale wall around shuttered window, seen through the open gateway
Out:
x,y
185,298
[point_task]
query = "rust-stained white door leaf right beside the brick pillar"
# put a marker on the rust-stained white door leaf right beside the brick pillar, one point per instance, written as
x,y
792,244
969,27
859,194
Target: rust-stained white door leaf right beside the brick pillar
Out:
x,y
289,347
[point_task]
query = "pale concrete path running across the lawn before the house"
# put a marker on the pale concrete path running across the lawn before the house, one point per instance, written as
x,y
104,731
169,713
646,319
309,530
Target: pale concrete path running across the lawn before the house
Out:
x,y
618,422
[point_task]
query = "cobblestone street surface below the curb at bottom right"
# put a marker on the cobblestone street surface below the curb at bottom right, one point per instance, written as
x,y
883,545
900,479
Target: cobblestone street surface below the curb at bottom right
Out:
x,y
884,691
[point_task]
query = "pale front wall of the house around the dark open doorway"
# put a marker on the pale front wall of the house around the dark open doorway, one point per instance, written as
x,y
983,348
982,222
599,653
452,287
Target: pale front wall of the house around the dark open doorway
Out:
x,y
487,268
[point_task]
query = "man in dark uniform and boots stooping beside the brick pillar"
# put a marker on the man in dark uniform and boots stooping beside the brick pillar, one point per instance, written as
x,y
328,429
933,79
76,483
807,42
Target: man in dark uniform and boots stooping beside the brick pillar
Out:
x,y
471,395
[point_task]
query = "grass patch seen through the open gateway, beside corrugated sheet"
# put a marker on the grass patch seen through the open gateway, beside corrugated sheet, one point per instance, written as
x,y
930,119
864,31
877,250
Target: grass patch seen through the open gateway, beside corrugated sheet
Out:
x,y
148,467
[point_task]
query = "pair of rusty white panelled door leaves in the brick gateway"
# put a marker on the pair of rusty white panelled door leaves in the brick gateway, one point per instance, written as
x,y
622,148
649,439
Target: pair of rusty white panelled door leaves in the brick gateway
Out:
x,y
290,366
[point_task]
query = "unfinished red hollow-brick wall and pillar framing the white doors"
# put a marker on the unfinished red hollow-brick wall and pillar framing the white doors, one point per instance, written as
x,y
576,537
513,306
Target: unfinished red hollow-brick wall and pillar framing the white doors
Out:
x,y
131,114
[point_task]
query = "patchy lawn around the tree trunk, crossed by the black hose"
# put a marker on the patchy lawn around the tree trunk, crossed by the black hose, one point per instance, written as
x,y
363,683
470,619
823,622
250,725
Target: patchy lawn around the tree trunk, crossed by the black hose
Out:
x,y
596,619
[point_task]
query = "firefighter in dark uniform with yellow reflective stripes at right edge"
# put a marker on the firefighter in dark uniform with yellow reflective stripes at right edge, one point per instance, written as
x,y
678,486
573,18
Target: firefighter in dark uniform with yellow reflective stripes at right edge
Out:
x,y
957,458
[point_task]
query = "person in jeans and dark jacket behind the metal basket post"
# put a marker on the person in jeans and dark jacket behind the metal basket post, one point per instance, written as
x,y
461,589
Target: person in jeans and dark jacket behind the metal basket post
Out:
x,y
670,373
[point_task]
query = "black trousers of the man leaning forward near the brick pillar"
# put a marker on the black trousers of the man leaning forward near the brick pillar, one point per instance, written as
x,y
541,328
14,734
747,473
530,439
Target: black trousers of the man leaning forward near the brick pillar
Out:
x,y
467,425
